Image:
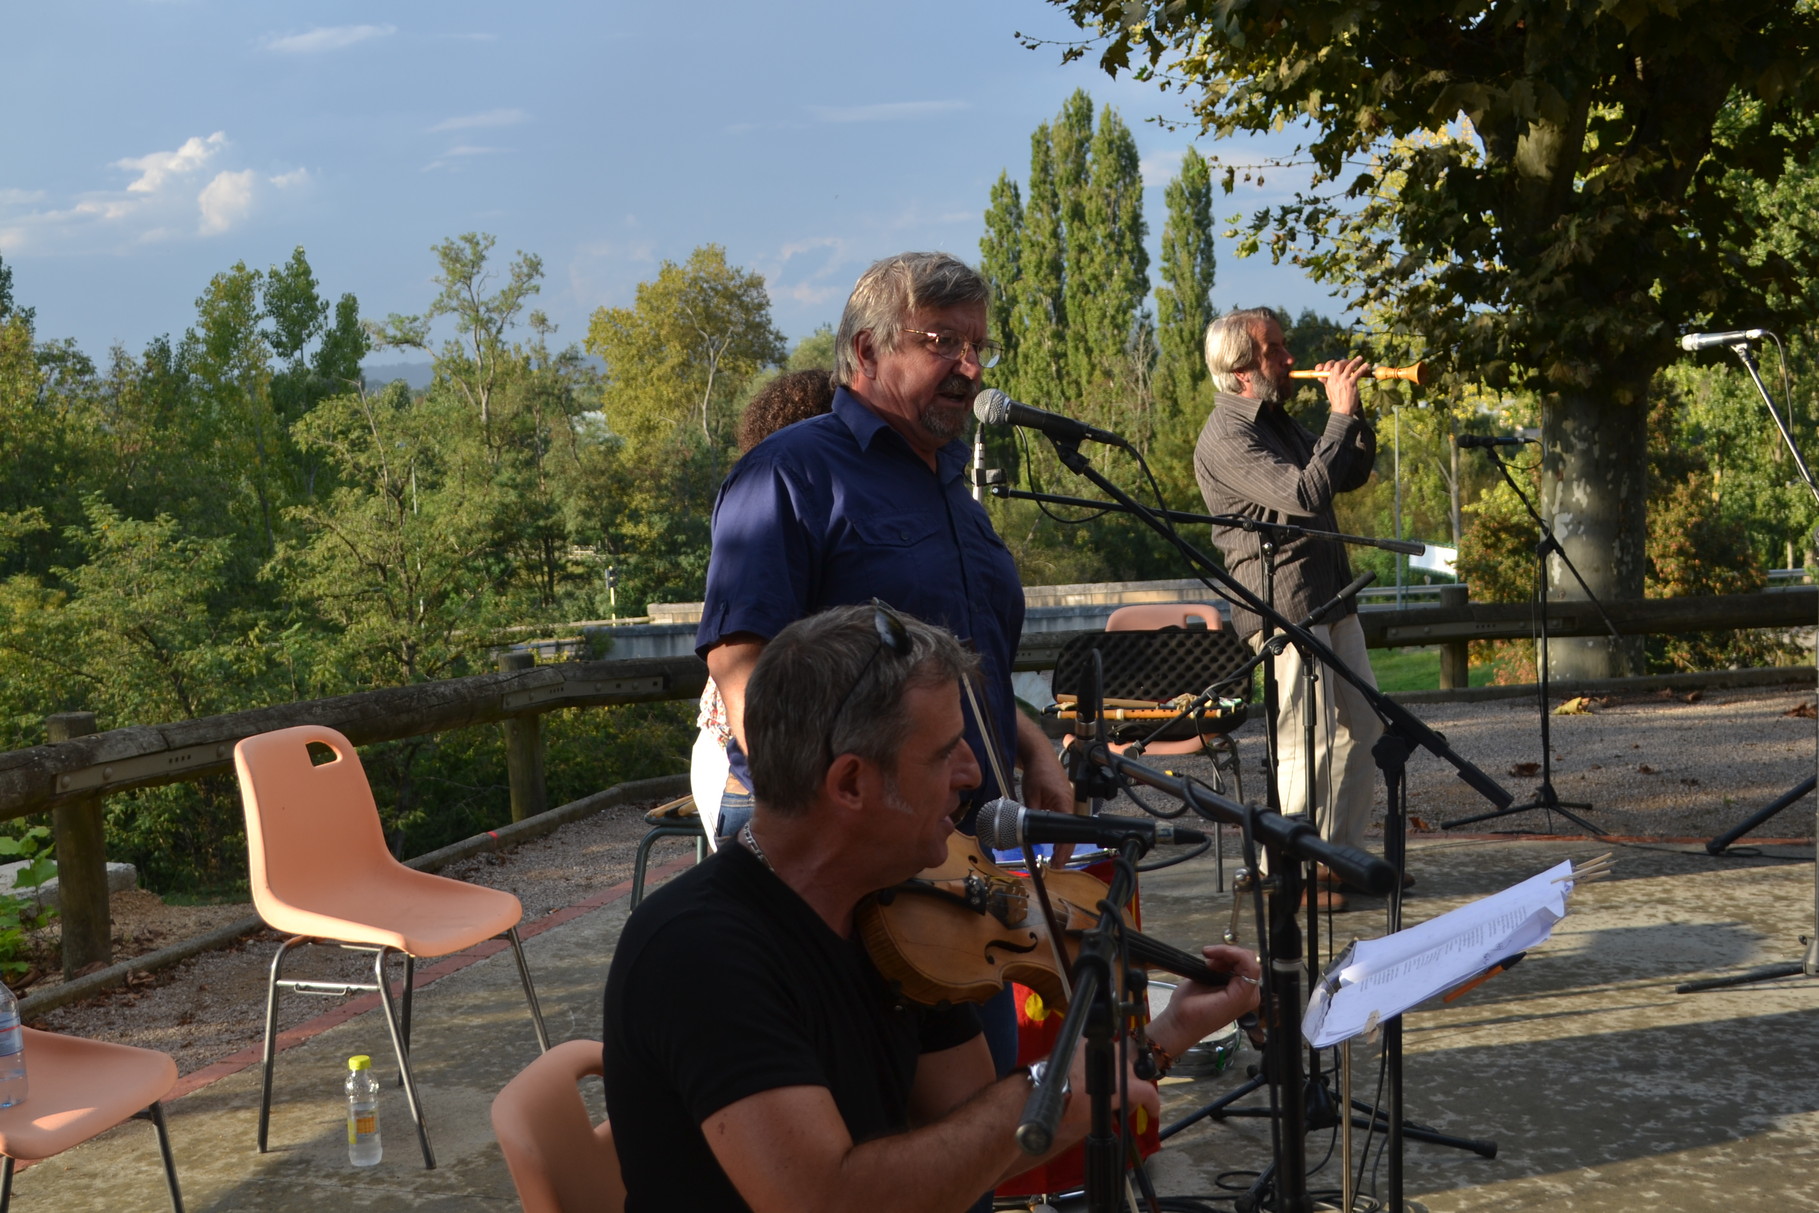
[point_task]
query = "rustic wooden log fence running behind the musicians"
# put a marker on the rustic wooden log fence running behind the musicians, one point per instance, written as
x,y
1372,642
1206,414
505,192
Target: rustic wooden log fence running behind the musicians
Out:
x,y
79,767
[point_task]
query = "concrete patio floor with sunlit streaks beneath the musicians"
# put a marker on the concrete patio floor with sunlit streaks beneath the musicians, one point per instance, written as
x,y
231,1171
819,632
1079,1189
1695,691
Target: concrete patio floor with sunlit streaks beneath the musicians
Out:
x,y
1602,1087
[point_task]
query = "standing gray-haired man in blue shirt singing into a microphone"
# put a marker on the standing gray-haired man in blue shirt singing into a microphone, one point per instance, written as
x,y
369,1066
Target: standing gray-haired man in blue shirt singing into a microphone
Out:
x,y
870,501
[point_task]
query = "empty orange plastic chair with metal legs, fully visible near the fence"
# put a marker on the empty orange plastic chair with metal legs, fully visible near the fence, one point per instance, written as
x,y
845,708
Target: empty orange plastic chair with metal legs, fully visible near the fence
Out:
x,y
321,874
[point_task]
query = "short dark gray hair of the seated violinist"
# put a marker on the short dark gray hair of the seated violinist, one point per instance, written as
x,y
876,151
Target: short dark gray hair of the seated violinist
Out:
x,y
827,667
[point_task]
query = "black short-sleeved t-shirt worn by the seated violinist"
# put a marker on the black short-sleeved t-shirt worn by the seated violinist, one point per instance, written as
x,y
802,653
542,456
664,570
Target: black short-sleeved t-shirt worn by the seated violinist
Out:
x,y
727,985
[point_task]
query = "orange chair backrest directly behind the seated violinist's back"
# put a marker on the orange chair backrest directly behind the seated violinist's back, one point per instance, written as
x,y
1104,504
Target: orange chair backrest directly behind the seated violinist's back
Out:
x,y
559,1159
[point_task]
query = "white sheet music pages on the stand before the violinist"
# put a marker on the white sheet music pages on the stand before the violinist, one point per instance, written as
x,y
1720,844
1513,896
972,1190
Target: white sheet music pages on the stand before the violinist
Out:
x,y
1374,979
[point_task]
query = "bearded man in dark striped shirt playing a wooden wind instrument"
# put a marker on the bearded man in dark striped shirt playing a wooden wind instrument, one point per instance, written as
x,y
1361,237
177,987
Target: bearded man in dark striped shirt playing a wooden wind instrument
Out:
x,y
1254,461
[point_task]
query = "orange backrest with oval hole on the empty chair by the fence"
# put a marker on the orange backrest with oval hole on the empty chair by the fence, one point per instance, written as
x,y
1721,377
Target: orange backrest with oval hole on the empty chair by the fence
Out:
x,y
310,830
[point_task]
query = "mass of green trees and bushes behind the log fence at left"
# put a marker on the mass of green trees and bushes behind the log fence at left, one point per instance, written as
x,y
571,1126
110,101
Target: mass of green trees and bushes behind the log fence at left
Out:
x,y
232,521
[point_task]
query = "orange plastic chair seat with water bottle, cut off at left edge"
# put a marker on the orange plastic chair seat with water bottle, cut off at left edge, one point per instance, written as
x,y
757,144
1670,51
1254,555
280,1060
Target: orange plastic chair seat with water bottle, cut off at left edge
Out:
x,y
79,1090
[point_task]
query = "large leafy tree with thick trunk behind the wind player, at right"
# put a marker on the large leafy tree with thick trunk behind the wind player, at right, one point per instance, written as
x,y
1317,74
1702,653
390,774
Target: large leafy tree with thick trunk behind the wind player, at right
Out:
x,y
1585,206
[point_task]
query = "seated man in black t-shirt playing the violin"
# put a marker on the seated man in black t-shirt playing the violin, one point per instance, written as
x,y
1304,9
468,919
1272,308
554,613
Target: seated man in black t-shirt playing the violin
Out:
x,y
832,1094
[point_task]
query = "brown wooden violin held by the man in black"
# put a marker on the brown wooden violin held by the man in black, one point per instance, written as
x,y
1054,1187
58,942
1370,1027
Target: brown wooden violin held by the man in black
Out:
x,y
961,930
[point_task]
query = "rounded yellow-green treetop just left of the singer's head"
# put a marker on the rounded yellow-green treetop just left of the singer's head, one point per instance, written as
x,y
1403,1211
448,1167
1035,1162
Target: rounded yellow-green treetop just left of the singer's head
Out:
x,y
681,354
